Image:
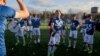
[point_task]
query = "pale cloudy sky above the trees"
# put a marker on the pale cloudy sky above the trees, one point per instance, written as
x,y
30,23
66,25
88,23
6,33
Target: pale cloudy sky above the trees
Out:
x,y
63,5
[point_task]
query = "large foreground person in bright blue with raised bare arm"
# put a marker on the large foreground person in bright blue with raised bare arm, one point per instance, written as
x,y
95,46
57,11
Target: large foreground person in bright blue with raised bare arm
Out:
x,y
5,13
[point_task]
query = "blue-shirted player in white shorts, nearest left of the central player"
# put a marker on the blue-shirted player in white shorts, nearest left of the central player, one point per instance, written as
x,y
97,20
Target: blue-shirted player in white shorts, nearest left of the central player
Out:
x,y
36,29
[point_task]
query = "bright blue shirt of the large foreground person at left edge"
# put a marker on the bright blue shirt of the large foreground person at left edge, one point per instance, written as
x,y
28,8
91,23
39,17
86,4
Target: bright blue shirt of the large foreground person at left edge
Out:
x,y
5,13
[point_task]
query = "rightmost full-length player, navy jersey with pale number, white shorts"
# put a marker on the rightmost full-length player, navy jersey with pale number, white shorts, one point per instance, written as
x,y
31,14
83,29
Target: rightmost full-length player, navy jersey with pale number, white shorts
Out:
x,y
88,38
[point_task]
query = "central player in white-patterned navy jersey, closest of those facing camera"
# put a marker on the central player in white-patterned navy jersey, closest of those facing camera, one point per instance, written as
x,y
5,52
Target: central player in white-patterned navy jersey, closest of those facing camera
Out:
x,y
56,25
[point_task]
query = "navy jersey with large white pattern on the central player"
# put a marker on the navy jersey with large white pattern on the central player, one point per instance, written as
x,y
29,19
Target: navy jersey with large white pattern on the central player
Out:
x,y
58,23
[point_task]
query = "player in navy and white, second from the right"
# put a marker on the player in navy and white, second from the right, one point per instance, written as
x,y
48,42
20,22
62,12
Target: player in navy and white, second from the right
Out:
x,y
73,32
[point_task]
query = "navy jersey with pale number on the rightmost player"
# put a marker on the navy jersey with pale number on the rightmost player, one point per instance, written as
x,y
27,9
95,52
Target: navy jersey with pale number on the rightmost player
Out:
x,y
90,26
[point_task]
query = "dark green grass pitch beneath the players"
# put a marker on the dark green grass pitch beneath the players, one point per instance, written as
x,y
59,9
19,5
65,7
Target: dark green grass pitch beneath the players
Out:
x,y
34,50
